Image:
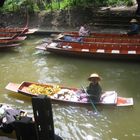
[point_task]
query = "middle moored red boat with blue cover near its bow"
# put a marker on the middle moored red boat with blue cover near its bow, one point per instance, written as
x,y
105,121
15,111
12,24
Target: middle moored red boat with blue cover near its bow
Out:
x,y
105,40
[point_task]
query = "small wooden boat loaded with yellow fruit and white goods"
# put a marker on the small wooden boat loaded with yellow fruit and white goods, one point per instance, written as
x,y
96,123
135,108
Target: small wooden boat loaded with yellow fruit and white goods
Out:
x,y
66,94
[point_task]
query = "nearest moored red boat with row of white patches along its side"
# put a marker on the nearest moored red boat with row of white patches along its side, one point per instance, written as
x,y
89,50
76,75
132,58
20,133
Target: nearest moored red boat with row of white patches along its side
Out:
x,y
93,50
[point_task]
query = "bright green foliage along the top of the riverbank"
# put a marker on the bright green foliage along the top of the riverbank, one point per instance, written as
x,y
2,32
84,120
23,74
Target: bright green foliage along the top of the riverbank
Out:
x,y
39,5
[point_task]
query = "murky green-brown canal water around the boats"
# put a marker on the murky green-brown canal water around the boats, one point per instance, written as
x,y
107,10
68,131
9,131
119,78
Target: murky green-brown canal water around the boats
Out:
x,y
74,122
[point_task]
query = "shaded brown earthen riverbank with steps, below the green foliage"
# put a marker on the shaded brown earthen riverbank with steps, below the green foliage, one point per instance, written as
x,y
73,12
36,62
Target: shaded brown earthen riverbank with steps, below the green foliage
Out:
x,y
98,18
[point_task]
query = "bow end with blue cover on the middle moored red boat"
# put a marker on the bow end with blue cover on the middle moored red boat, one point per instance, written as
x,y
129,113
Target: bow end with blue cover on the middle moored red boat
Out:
x,y
68,38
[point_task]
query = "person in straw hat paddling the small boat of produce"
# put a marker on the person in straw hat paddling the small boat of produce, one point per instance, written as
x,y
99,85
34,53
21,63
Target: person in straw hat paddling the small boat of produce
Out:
x,y
94,89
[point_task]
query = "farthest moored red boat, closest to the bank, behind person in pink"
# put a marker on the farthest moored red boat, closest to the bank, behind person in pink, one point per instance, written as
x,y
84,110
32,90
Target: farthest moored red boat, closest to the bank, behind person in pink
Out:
x,y
95,34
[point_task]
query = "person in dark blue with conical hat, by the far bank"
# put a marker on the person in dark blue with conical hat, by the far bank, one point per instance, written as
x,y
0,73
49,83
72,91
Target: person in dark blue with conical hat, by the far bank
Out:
x,y
134,27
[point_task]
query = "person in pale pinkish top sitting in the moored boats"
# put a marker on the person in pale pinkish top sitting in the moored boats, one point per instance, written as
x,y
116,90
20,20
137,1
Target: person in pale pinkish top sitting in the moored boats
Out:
x,y
84,30
